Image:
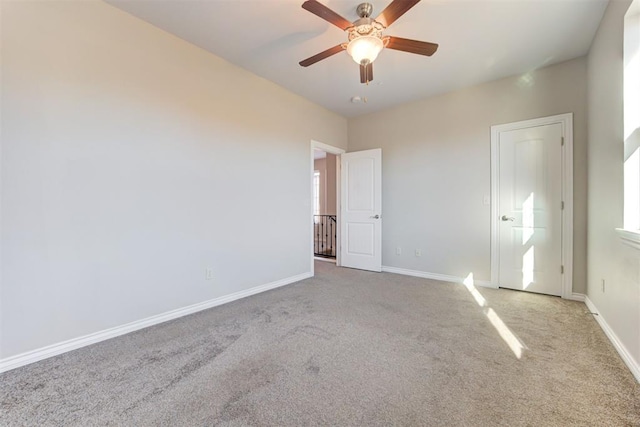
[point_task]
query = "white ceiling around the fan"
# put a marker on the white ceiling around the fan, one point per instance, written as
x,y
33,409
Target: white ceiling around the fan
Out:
x,y
480,41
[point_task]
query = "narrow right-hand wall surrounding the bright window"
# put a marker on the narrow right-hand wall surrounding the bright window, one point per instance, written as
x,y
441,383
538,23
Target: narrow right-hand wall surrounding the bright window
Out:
x,y
609,259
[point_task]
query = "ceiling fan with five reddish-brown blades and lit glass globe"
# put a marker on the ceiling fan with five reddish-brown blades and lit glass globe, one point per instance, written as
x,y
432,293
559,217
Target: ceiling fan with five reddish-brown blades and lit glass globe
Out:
x,y
365,35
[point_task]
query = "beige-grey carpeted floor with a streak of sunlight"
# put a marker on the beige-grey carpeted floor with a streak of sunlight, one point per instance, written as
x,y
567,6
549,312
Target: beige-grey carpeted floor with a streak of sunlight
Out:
x,y
344,348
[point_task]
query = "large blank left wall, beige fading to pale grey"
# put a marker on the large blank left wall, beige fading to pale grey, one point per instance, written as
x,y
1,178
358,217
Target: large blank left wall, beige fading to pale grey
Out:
x,y
133,161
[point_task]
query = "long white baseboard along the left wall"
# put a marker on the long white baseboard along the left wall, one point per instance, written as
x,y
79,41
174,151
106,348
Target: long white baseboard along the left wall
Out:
x,y
75,343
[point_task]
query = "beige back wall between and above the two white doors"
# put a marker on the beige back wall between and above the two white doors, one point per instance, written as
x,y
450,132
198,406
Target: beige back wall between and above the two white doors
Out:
x,y
436,167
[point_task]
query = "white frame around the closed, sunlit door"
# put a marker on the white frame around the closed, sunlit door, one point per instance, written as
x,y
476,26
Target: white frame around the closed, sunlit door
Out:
x,y
566,121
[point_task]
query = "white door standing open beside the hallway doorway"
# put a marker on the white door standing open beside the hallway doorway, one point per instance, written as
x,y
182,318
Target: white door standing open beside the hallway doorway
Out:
x,y
361,222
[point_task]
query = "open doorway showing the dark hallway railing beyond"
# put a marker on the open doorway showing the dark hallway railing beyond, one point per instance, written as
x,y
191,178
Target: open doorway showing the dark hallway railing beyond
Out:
x,y
325,202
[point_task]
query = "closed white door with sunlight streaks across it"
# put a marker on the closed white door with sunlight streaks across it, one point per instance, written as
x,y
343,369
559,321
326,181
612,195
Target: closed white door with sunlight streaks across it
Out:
x,y
530,209
